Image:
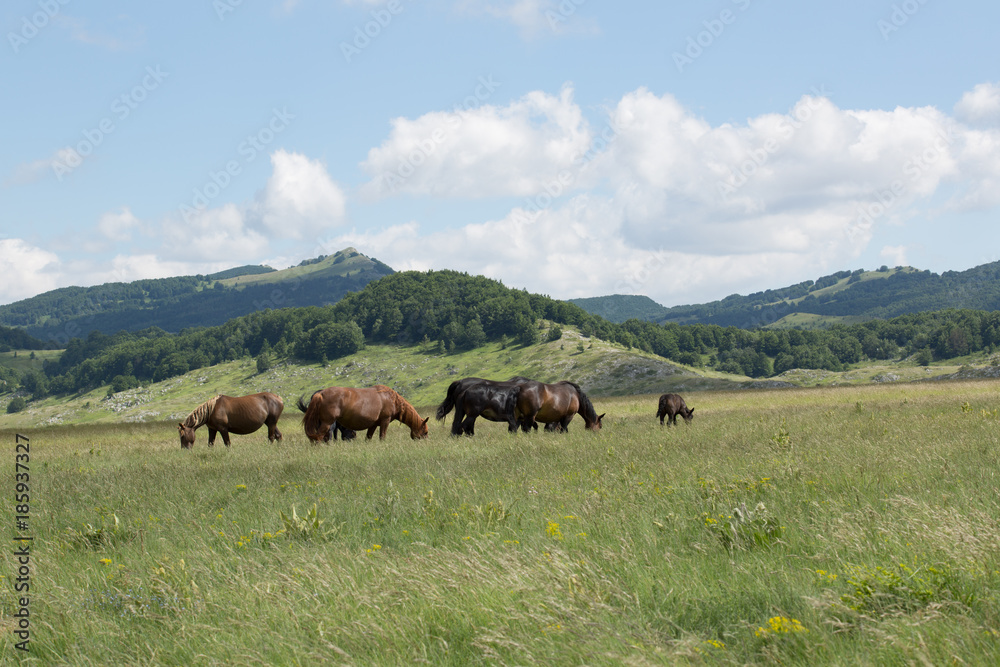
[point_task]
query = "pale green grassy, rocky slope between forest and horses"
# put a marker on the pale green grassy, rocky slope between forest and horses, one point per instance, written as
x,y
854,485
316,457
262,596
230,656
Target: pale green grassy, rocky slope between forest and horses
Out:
x,y
420,373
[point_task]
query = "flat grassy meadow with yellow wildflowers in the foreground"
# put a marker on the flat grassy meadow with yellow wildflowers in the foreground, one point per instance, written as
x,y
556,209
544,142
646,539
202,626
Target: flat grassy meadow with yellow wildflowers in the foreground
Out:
x,y
833,525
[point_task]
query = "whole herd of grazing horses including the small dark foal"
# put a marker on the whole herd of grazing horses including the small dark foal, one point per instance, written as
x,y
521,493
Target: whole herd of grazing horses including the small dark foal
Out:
x,y
343,411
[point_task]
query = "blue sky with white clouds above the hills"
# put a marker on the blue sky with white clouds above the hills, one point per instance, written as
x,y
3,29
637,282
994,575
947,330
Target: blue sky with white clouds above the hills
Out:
x,y
681,150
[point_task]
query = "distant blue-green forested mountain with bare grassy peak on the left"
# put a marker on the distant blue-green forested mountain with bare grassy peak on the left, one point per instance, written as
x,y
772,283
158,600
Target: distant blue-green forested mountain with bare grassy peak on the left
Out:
x,y
173,304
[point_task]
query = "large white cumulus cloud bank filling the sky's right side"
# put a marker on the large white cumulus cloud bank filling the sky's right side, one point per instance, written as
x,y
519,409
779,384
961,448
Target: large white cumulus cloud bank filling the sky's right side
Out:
x,y
694,209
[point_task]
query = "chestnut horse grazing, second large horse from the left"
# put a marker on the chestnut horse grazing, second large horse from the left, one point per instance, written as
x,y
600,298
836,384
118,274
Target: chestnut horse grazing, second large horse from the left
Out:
x,y
359,409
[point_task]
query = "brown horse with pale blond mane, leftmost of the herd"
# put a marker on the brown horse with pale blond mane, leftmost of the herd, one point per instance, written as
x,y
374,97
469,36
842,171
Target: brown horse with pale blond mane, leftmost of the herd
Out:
x,y
233,414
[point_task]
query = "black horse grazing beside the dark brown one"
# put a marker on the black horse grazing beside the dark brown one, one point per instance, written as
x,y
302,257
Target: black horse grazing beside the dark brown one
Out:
x,y
475,397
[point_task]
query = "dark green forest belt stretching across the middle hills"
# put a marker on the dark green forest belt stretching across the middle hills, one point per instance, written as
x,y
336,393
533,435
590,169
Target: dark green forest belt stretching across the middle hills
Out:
x,y
451,311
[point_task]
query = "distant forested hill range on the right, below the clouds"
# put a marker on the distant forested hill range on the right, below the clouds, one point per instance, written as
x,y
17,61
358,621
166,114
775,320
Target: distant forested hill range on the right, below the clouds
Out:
x,y
846,296
